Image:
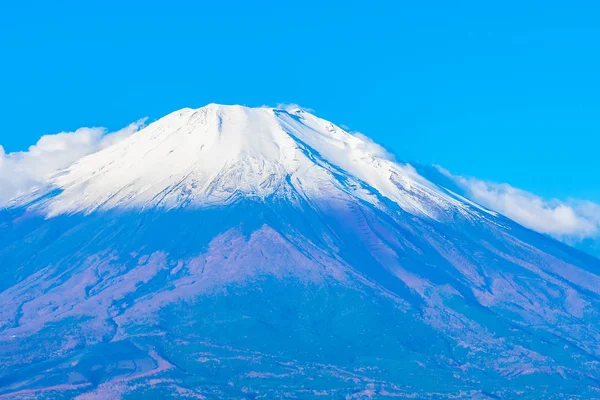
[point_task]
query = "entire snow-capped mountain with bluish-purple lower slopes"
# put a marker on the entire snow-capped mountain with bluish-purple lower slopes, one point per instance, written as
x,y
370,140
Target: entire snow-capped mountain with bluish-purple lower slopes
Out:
x,y
232,252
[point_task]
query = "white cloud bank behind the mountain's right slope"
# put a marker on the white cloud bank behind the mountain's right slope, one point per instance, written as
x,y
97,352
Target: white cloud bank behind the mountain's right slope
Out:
x,y
570,221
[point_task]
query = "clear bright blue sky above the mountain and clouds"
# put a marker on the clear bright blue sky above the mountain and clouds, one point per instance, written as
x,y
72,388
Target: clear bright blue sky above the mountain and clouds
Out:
x,y
508,91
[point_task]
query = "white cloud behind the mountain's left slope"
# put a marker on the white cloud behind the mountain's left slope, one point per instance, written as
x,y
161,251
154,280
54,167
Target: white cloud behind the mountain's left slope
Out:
x,y
23,171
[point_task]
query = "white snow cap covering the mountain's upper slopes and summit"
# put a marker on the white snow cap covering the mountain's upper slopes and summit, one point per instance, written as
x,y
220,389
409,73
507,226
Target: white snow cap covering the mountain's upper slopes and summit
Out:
x,y
216,154
